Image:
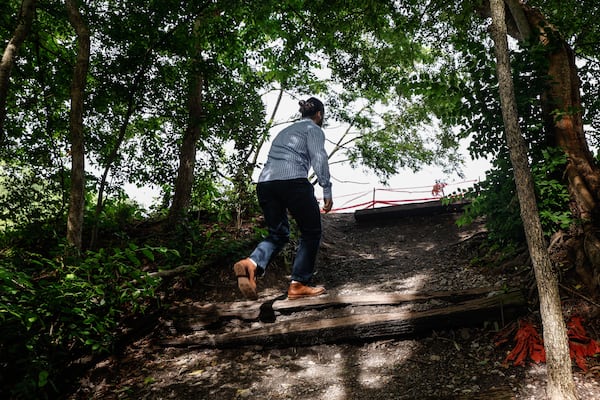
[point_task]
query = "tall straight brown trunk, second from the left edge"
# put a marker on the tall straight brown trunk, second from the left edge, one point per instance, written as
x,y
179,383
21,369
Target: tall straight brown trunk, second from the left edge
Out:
x,y
77,197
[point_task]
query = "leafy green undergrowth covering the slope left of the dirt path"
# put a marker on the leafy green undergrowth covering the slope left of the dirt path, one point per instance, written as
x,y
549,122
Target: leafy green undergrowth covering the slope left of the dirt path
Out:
x,y
59,310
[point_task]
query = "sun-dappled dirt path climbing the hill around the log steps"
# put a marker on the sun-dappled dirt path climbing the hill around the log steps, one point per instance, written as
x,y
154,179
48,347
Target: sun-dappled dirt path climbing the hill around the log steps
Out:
x,y
403,256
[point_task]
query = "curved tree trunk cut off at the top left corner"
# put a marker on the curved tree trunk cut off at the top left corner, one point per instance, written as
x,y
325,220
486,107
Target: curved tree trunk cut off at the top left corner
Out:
x,y
25,19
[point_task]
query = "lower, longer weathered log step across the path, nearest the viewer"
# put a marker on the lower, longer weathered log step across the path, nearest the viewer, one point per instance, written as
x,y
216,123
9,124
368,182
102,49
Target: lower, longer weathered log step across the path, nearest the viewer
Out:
x,y
308,331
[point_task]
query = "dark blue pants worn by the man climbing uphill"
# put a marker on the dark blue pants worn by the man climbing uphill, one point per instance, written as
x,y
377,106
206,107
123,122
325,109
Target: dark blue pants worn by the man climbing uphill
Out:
x,y
297,196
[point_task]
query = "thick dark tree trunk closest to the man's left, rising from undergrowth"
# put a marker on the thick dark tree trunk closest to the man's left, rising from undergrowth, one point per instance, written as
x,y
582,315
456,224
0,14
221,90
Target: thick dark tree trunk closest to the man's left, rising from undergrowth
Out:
x,y
187,154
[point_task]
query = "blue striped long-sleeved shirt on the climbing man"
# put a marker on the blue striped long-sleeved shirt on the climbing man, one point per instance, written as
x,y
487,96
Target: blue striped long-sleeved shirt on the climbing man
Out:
x,y
294,151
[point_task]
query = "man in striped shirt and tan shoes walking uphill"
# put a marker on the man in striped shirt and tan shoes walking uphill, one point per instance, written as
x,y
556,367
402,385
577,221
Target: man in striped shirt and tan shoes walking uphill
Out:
x,y
283,186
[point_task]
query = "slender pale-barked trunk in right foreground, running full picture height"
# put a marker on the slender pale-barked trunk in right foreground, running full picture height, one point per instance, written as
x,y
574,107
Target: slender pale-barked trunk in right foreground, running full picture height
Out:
x,y
560,380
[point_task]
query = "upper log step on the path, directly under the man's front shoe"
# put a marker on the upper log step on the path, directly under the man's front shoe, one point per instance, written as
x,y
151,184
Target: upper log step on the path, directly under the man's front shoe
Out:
x,y
197,316
